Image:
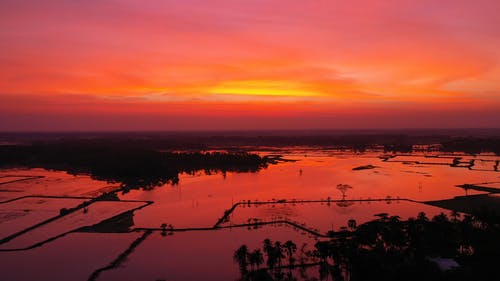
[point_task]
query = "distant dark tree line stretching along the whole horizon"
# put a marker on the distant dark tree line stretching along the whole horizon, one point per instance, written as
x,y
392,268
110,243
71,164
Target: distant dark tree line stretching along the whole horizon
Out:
x,y
460,140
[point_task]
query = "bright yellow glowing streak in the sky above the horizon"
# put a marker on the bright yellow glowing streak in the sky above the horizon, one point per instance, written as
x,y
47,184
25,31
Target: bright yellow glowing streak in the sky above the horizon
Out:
x,y
264,88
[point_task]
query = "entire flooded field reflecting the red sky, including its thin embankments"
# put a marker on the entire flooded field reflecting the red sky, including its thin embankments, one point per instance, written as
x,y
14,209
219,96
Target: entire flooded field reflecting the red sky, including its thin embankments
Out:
x,y
50,218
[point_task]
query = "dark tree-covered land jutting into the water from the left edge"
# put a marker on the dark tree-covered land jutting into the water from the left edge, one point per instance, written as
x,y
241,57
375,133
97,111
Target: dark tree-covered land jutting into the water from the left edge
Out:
x,y
133,167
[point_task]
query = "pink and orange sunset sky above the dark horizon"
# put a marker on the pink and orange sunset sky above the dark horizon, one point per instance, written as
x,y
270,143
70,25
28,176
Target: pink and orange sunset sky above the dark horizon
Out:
x,y
122,65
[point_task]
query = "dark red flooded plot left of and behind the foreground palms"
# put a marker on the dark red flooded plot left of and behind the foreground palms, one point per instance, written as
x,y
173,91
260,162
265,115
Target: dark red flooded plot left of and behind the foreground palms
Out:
x,y
199,255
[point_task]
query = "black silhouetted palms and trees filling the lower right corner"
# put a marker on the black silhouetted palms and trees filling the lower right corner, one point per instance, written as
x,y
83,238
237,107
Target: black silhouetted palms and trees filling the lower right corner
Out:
x,y
387,248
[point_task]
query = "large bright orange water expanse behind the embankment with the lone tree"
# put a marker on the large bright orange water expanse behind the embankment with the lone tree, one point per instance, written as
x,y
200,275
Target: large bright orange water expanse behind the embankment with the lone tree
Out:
x,y
199,200
